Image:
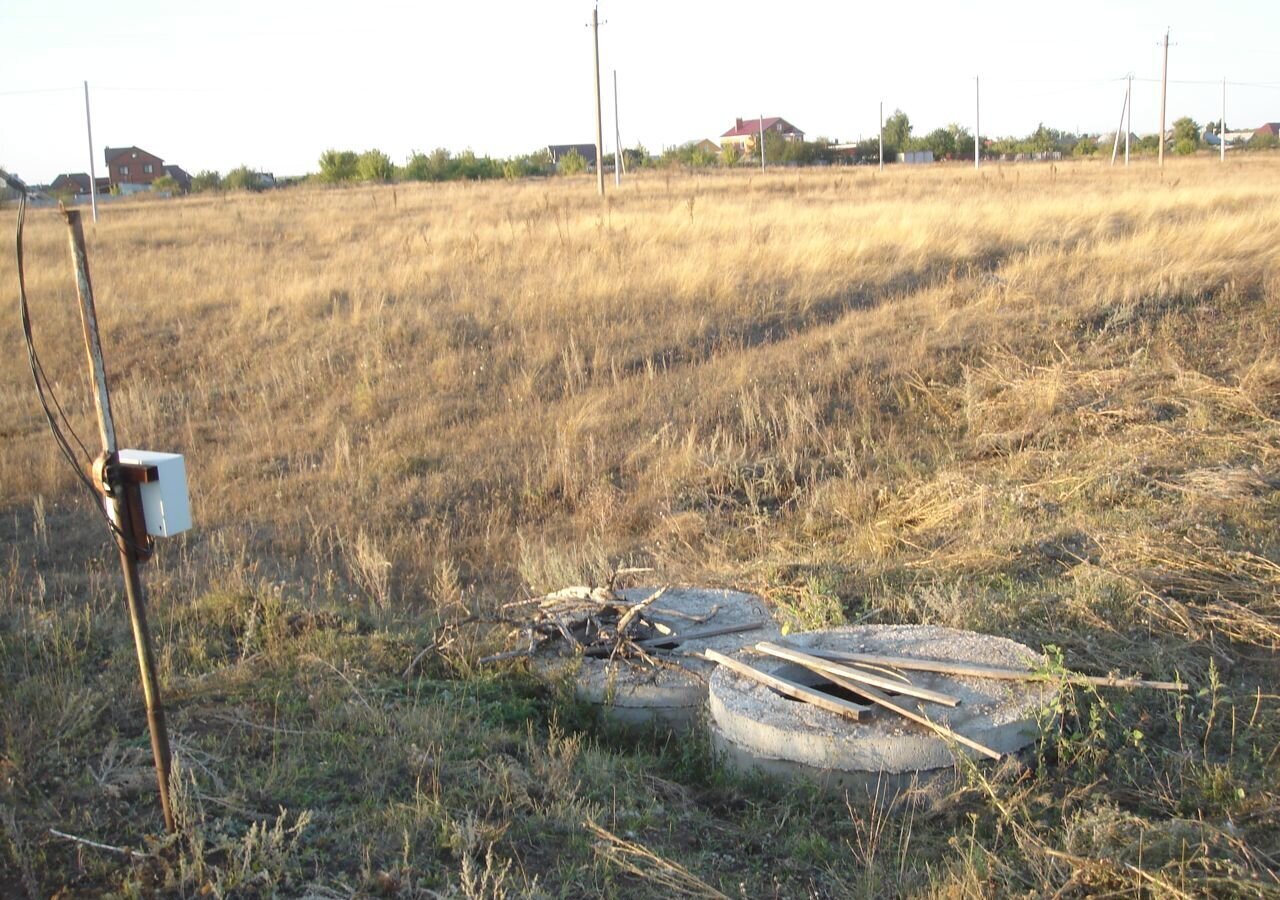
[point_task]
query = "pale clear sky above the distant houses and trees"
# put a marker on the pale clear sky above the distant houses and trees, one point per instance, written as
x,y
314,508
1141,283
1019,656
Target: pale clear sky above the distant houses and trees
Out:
x,y
273,84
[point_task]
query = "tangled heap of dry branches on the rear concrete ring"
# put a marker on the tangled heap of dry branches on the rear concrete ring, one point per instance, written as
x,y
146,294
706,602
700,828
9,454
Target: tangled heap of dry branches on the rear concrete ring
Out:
x,y
602,624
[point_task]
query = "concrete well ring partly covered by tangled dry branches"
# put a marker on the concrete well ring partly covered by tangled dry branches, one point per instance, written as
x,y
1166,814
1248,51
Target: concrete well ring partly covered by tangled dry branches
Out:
x,y
673,696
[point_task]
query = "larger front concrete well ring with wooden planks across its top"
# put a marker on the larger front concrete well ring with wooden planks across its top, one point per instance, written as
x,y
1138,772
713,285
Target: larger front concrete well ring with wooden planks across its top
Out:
x,y
755,728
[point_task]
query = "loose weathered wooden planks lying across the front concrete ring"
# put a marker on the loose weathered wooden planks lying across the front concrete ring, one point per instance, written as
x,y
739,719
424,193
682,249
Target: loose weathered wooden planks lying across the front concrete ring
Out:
x,y
872,677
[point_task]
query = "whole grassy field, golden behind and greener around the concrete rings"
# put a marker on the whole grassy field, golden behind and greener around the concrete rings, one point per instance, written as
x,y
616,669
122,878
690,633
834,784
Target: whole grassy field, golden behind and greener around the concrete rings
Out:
x,y
1040,401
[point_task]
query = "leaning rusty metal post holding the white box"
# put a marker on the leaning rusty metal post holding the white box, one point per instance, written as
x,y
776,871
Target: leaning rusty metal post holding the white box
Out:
x,y
118,510
